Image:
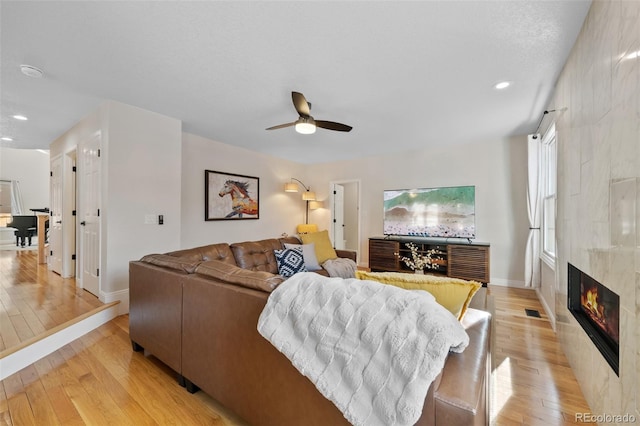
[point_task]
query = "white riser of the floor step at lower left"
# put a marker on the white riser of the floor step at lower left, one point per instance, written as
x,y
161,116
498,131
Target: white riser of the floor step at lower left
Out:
x,y
26,356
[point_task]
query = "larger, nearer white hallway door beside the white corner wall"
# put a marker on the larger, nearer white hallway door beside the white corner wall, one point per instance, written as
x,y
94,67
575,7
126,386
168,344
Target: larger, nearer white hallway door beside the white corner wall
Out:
x,y
89,209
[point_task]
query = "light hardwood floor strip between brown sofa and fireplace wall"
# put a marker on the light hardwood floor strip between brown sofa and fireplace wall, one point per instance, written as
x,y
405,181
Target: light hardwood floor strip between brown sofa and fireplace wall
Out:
x,y
532,382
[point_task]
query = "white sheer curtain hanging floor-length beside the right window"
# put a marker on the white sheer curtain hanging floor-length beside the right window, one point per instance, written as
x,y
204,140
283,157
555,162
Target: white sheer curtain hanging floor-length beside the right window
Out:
x,y
532,255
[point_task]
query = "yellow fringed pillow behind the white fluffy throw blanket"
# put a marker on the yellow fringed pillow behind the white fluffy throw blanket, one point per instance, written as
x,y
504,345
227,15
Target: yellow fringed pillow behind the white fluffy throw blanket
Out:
x,y
452,293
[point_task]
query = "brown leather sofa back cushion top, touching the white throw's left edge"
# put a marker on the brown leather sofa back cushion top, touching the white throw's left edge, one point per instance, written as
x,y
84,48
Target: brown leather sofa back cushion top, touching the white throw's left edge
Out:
x,y
260,280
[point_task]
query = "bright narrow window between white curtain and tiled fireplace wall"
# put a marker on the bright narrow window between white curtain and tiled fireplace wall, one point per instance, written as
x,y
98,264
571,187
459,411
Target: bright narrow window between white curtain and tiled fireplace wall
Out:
x,y
549,184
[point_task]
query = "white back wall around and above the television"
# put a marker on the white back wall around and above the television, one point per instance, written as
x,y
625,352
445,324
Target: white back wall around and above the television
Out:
x,y
496,168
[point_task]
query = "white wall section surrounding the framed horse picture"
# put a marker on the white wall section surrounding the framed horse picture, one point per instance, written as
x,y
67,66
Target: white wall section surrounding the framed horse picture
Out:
x,y
280,212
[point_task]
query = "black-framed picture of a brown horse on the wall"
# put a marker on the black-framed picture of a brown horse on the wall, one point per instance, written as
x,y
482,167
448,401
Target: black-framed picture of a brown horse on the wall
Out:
x,y
228,196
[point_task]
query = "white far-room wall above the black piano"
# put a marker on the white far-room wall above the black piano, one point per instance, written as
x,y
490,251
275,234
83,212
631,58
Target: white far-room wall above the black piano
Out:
x,y
30,167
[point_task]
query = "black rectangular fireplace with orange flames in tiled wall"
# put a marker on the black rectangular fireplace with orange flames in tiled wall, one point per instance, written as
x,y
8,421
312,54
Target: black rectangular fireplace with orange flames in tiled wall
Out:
x,y
597,310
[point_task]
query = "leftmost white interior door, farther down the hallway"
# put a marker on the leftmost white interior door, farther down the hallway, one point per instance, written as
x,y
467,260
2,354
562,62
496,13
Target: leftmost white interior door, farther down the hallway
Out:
x,y
55,219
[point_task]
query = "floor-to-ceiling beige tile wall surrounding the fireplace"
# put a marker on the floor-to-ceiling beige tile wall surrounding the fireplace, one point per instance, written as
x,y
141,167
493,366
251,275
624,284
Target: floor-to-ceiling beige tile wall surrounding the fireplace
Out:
x,y
598,216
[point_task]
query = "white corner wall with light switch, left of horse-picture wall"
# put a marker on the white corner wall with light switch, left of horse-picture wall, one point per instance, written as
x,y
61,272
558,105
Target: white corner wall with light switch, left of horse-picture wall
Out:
x,y
141,172
